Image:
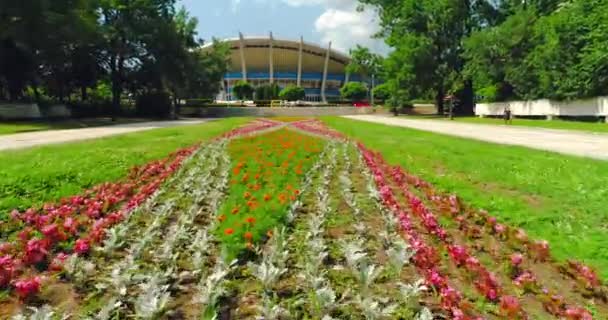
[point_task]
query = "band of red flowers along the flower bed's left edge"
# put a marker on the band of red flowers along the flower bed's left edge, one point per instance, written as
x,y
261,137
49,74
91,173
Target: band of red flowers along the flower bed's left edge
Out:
x,y
41,239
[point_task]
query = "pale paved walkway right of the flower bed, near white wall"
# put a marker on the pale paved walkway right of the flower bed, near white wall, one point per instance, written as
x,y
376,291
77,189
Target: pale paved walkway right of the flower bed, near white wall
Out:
x,y
563,141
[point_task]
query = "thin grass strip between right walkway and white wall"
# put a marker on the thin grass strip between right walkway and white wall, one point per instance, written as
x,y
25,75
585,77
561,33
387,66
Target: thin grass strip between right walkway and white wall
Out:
x,y
541,123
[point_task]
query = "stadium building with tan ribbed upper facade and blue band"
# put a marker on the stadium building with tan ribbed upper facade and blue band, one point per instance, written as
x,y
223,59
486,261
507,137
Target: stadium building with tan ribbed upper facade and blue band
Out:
x,y
266,60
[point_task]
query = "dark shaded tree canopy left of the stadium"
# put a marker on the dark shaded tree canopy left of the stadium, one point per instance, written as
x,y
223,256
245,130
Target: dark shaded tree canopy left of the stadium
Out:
x,y
64,49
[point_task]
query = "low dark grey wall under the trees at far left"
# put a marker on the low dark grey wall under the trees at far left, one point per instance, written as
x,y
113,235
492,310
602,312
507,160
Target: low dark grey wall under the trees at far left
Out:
x,y
19,111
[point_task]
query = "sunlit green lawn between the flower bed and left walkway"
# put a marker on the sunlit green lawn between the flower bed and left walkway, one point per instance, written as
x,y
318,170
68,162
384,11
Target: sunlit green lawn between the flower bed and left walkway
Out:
x,y
32,176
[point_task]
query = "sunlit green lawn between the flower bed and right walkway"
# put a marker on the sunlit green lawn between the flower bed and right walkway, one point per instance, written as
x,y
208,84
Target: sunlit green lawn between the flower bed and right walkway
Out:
x,y
558,198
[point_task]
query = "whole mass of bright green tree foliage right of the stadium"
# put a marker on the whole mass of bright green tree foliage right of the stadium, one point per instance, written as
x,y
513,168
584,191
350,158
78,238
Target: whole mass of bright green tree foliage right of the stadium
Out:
x,y
494,49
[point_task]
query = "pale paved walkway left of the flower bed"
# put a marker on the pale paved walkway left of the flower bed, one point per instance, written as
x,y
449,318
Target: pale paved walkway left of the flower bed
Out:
x,y
30,139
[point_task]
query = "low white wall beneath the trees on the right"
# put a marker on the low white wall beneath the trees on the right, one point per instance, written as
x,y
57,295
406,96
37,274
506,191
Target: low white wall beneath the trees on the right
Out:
x,y
595,107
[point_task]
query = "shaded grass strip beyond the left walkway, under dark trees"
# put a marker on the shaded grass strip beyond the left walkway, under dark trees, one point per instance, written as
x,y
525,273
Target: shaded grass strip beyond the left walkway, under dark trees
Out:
x,y
30,126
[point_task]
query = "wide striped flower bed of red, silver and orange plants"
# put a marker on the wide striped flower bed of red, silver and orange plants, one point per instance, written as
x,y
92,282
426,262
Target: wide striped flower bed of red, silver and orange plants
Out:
x,y
295,223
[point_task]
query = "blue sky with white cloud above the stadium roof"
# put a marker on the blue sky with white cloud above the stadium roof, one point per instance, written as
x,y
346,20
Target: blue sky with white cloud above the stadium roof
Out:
x,y
319,21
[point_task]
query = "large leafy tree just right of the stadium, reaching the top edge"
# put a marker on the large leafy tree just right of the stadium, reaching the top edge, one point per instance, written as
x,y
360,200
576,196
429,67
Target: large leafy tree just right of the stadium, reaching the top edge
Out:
x,y
427,37
